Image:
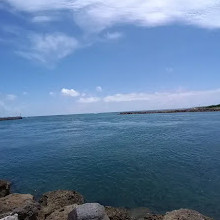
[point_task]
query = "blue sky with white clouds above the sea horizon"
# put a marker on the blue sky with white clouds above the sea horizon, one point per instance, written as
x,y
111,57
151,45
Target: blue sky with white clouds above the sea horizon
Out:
x,y
90,56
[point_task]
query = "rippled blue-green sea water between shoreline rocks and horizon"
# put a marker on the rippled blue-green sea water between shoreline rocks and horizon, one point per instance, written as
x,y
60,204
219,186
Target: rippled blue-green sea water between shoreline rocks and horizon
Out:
x,y
159,161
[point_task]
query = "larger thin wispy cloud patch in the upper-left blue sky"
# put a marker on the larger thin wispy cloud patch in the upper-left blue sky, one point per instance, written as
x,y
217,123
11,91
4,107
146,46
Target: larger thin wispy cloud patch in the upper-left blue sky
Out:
x,y
49,48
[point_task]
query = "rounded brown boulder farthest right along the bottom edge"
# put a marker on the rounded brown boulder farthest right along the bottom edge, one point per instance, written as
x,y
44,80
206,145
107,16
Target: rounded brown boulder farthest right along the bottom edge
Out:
x,y
185,214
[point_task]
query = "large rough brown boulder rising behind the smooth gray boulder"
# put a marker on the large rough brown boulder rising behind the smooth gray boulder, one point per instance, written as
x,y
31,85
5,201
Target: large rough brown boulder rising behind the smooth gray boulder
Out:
x,y
55,200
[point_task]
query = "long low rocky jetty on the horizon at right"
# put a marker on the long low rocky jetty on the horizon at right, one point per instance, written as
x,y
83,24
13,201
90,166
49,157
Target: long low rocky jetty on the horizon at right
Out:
x,y
211,108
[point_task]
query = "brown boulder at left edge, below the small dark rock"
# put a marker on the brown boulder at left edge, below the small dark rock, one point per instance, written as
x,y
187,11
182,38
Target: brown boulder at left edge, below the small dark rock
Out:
x,y
21,204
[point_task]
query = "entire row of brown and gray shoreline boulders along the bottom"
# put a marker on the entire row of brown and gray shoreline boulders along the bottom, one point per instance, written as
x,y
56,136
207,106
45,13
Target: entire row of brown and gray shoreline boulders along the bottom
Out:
x,y
70,205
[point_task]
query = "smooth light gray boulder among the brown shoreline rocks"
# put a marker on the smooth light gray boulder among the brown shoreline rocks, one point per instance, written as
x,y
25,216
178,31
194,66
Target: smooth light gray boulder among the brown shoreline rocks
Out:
x,y
88,211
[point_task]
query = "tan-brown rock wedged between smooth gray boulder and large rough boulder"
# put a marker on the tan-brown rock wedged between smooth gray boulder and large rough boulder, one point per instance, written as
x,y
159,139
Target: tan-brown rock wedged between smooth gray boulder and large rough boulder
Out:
x,y
61,214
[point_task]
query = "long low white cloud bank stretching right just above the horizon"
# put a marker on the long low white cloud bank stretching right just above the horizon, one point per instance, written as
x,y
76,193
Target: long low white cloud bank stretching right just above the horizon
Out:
x,y
156,100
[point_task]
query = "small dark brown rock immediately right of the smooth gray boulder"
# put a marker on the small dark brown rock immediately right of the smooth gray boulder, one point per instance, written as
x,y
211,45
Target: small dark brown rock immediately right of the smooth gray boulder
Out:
x,y
117,213
